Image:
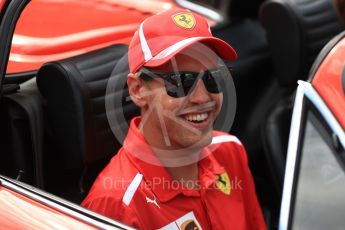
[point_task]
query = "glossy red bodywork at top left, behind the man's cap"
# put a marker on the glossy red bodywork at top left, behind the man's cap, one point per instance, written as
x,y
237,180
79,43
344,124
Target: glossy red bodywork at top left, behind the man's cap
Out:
x,y
44,33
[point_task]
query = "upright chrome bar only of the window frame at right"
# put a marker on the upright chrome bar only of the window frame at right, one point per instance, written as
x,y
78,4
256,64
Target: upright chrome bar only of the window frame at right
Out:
x,y
291,158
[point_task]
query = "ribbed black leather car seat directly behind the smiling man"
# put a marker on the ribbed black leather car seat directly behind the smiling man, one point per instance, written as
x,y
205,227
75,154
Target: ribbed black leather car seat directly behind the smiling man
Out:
x,y
79,140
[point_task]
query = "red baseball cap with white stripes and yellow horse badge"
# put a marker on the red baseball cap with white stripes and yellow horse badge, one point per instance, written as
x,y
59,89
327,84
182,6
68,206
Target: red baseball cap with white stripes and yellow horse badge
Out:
x,y
161,36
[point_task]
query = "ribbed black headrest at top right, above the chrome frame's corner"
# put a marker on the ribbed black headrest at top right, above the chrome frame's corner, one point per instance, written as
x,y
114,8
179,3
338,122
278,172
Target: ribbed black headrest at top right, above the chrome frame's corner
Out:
x,y
296,31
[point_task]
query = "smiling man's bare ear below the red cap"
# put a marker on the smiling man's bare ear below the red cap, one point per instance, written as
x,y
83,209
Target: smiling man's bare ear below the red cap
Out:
x,y
136,90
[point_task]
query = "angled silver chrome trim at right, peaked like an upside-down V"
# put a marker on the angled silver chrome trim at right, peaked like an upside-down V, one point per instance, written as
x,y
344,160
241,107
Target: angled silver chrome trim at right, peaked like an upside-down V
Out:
x,y
307,90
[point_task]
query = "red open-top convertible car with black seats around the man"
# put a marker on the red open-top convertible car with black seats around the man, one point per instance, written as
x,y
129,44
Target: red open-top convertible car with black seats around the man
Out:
x,y
64,110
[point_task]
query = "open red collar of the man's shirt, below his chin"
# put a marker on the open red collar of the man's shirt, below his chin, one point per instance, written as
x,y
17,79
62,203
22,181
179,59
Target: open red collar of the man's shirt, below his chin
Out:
x,y
156,176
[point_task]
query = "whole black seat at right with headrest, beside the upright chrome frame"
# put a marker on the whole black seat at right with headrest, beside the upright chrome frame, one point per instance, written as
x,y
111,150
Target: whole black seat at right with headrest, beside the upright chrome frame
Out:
x,y
296,31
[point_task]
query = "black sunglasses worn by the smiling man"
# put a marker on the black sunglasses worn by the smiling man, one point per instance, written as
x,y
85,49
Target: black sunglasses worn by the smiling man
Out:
x,y
180,83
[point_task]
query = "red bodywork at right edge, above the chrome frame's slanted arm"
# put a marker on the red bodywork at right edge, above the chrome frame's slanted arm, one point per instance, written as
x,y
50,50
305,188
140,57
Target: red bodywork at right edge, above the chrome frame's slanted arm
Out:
x,y
327,81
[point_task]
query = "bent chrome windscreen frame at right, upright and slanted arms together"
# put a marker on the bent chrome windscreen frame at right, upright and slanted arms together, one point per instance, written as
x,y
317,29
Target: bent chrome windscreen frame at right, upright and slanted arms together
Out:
x,y
306,97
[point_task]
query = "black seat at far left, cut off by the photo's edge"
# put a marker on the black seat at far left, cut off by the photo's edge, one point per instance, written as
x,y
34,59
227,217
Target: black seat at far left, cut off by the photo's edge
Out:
x,y
21,123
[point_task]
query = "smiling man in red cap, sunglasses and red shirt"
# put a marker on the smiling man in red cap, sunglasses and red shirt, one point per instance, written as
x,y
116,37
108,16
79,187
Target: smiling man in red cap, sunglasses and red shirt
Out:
x,y
174,171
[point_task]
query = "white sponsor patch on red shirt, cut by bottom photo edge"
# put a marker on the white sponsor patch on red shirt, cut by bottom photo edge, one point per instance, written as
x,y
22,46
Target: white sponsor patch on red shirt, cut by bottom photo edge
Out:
x,y
186,222
